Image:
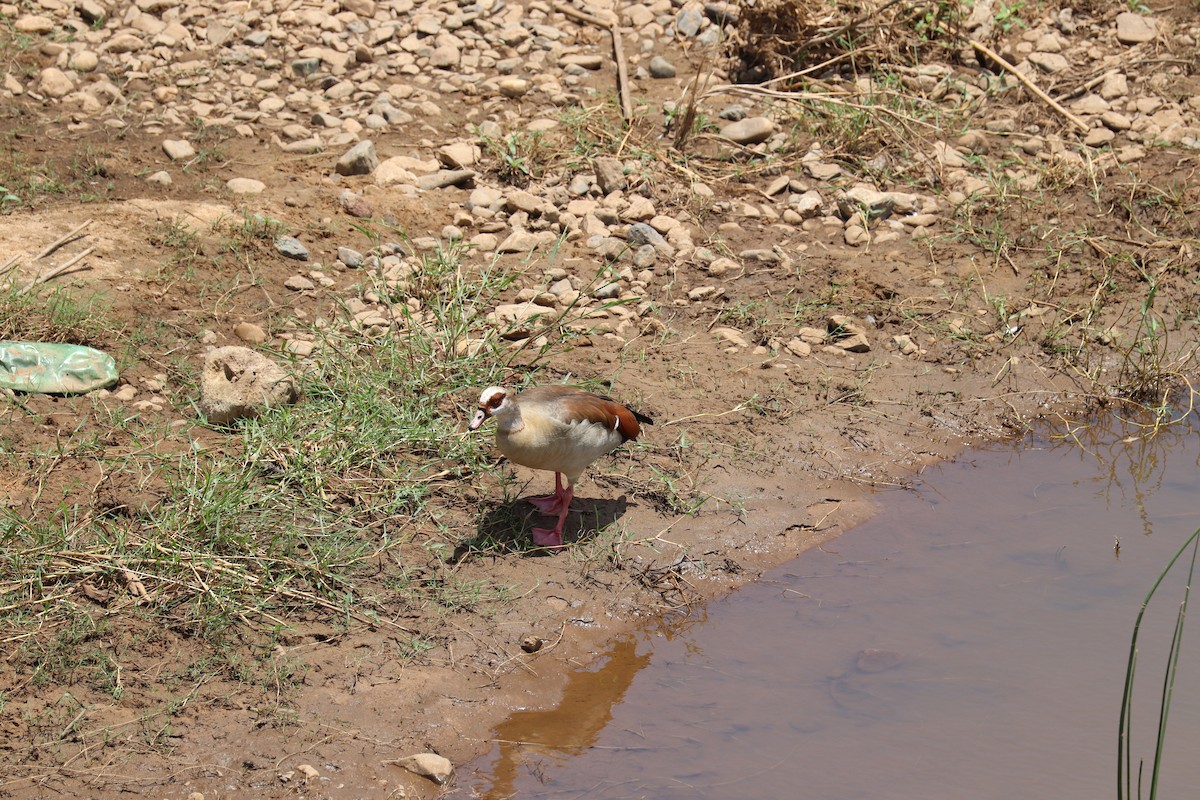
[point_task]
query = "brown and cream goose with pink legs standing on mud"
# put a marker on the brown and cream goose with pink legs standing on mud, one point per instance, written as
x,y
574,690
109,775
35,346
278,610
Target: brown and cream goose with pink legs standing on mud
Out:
x,y
557,429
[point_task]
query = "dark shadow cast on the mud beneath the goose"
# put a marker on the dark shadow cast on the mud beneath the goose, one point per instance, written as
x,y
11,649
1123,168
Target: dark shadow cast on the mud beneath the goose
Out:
x,y
506,527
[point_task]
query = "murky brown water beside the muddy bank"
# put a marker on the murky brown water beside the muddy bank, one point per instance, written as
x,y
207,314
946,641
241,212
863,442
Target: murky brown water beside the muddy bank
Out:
x,y
969,642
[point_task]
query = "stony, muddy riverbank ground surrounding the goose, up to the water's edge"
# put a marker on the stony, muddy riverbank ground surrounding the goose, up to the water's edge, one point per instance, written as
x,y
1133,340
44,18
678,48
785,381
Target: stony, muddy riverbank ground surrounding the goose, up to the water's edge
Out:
x,y
950,222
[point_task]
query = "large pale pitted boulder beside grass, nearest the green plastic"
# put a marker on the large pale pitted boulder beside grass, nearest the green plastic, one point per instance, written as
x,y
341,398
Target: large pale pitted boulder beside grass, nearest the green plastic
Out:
x,y
241,383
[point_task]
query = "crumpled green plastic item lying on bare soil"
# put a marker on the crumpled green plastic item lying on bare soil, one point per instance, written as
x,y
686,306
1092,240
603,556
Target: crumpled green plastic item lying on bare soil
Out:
x,y
55,369
